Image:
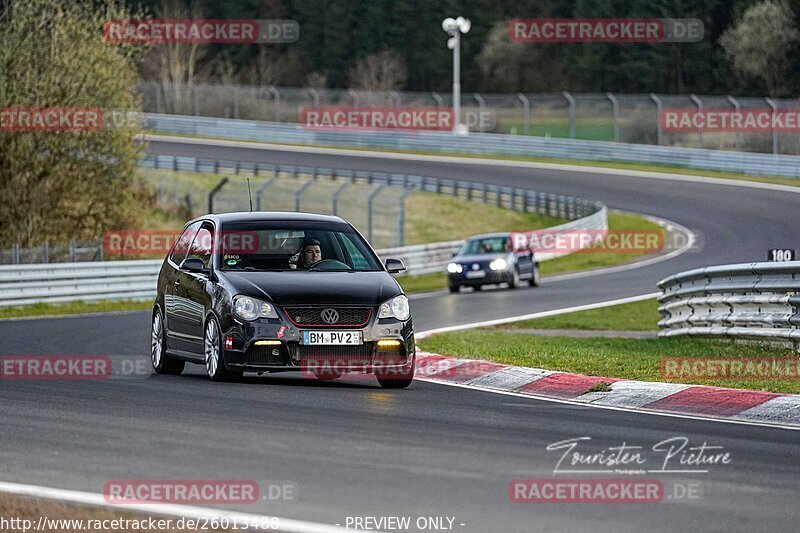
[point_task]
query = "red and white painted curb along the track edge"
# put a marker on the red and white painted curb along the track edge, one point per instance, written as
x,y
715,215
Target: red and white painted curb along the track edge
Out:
x,y
663,398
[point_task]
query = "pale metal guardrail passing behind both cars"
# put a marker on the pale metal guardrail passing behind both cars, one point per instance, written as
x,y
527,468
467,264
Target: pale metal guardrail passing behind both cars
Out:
x,y
136,280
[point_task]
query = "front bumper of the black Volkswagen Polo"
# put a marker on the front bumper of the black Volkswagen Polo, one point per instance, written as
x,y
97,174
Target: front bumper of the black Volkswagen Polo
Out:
x,y
273,345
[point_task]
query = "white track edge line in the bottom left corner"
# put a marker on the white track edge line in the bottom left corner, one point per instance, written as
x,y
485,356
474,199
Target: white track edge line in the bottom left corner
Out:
x,y
98,500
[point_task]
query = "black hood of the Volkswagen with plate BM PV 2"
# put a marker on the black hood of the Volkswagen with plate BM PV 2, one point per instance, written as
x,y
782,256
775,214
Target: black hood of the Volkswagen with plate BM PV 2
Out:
x,y
322,288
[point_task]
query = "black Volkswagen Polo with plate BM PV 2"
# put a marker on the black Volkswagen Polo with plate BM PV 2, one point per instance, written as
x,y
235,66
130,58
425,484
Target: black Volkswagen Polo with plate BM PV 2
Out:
x,y
270,292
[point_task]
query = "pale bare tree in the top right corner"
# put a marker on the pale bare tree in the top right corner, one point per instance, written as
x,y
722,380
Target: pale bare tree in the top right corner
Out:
x,y
760,42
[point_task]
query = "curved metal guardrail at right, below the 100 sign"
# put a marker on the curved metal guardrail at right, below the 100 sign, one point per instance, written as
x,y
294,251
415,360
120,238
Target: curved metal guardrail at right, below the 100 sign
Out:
x,y
748,300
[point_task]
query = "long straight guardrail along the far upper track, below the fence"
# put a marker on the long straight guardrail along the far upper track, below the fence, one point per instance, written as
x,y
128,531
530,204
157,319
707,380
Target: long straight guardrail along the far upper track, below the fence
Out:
x,y
480,143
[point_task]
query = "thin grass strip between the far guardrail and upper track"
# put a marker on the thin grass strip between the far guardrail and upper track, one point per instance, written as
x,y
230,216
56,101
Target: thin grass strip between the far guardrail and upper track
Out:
x,y
794,182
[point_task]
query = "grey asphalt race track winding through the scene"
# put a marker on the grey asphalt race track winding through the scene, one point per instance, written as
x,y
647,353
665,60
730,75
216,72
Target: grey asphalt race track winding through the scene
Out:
x,y
353,449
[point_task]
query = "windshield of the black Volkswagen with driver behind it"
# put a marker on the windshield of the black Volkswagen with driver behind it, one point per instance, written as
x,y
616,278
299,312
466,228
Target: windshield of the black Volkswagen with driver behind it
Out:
x,y
273,246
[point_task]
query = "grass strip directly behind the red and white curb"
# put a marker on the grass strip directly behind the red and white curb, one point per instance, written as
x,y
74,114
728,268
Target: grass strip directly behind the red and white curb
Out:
x,y
638,359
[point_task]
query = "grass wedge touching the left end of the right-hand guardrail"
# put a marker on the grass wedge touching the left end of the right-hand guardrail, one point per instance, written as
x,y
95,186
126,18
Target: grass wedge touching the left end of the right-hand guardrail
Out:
x,y
636,316
